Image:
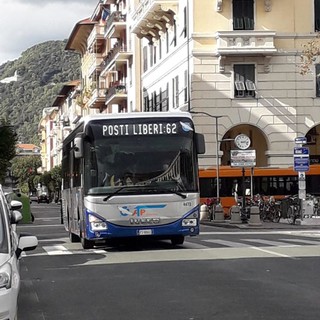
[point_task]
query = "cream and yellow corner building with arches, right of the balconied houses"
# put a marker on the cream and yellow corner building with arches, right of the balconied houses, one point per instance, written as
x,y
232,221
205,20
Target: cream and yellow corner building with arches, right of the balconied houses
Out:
x,y
238,61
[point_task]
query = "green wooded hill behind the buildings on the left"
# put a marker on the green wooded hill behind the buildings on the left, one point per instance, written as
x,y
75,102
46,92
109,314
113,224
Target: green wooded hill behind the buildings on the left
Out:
x,y
31,83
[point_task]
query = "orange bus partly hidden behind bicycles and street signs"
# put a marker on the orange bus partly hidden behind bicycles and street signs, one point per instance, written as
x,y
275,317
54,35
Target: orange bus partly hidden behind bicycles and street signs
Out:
x,y
266,181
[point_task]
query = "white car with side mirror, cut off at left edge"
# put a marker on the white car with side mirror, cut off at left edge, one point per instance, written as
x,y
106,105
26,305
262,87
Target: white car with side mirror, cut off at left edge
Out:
x,y
11,247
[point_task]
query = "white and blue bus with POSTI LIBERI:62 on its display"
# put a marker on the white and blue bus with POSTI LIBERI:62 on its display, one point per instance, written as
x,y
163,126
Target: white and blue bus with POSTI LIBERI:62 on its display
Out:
x,y
131,175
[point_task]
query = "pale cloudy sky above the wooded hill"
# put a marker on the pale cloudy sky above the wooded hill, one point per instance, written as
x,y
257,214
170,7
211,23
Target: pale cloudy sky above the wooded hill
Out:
x,y
24,23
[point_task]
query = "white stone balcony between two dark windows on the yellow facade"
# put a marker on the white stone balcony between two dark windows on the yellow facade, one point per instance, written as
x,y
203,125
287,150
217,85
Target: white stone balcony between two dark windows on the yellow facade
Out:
x,y
245,42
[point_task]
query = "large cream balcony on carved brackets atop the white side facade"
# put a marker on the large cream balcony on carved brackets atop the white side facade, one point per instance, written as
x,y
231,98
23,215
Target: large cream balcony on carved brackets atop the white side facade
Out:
x,y
154,16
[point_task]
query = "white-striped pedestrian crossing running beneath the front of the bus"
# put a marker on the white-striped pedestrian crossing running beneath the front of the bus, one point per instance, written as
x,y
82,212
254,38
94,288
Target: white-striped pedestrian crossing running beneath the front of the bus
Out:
x,y
190,243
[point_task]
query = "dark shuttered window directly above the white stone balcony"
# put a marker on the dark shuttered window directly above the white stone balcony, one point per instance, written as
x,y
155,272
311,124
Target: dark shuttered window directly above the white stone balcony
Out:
x,y
243,15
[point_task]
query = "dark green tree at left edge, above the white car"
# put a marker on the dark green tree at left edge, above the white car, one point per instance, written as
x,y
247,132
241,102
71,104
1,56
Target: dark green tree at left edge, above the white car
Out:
x,y
8,141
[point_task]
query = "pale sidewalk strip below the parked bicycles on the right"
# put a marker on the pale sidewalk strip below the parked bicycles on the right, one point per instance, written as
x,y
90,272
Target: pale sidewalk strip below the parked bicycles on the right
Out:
x,y
306,223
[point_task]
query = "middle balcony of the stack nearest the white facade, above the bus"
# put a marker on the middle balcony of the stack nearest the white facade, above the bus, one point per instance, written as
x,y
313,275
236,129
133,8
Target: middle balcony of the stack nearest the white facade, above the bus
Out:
x,y
119,53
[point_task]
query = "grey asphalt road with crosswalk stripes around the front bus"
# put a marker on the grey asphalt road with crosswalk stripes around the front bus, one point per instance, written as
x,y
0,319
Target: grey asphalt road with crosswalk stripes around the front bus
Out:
x,y
221,274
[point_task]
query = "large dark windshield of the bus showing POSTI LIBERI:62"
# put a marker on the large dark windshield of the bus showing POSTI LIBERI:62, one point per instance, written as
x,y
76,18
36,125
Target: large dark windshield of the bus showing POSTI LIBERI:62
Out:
x,y
135,164
